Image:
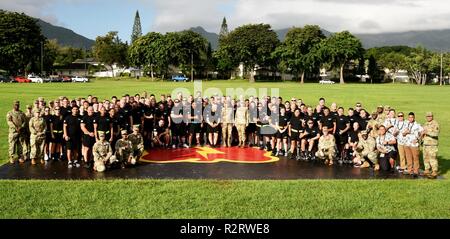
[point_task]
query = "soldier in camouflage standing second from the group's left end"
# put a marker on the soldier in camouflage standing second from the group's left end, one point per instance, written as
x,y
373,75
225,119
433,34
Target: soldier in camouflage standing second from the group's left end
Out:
x,y
37,126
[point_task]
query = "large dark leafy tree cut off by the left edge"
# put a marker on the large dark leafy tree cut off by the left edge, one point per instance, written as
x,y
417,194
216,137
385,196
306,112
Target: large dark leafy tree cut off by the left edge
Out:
x,y
20,41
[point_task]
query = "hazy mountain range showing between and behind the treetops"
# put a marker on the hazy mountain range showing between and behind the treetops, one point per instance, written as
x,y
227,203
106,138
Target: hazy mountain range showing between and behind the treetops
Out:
x,y
437,40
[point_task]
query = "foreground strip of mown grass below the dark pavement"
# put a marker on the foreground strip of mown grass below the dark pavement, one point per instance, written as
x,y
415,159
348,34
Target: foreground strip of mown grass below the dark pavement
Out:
x,y
225,199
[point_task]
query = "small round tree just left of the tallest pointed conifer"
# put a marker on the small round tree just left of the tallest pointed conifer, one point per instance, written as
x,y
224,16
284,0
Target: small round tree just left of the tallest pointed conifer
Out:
x,y
110,50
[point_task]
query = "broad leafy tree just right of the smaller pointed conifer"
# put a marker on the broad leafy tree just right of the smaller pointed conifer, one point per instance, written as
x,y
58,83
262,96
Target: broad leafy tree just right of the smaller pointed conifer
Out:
x,y
251,45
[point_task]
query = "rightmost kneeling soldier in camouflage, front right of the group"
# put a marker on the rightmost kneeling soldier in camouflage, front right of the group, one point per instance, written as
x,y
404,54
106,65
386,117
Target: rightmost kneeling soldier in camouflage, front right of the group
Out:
x,y
366,150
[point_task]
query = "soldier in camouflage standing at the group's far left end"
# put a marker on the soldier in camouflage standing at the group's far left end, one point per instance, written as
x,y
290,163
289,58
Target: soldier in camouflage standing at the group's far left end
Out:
x,y
16,121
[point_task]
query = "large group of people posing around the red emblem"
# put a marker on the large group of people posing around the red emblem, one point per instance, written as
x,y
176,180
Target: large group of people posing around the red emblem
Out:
x,y
116,131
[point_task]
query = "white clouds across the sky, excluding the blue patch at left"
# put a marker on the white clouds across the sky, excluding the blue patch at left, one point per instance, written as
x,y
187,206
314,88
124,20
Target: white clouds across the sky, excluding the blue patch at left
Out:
x,y
358,16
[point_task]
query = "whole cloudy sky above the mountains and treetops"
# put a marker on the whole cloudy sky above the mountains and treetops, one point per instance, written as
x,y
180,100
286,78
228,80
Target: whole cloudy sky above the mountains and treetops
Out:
x,y
96,17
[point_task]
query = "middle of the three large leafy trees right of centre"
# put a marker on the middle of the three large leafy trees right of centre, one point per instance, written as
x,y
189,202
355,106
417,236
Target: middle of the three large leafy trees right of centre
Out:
x,y
299,50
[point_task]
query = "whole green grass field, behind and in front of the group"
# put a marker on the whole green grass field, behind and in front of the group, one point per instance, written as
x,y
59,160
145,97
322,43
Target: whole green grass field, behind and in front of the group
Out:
x,y
235,199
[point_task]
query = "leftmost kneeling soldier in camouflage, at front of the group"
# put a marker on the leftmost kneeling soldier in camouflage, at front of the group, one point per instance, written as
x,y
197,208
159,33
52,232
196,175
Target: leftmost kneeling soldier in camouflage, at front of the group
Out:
x,y
102,152
